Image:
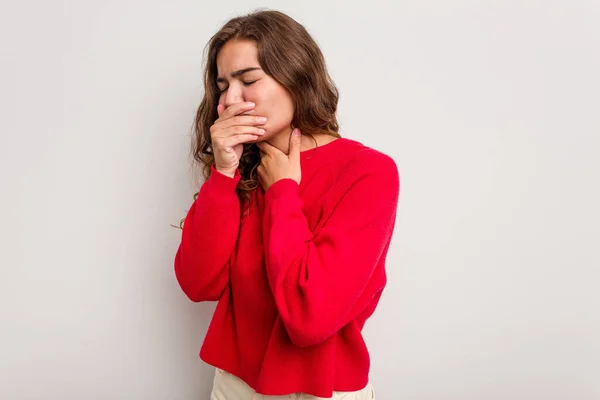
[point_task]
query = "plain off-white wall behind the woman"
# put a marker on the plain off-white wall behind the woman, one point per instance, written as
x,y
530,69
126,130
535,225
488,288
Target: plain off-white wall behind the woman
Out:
x,y
490,108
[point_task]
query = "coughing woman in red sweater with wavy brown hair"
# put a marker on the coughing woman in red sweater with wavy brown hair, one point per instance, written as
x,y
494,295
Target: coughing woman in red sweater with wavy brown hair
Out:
x,y
290,231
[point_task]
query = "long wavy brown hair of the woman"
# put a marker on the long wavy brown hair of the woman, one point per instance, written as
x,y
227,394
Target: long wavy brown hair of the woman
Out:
x,y
288,54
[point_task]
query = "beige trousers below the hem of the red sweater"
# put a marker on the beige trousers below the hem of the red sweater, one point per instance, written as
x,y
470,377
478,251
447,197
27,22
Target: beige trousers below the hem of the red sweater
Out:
x,y
229,387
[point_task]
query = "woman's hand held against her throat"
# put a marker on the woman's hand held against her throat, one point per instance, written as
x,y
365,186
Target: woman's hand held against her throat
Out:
x,y
275,165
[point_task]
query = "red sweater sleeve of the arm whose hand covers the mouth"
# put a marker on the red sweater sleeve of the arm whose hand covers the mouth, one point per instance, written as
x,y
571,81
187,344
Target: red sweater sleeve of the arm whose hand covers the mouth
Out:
x,y
210,231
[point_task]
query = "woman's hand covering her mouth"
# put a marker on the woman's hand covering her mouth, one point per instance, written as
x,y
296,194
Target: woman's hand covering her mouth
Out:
x,y
229,133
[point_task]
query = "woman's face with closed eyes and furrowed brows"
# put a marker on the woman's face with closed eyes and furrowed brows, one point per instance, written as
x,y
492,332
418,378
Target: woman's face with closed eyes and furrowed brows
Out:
x,y
241,79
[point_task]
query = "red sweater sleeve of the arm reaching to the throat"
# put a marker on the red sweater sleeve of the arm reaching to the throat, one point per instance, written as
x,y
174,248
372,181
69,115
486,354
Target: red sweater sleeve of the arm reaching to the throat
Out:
x,y
321,282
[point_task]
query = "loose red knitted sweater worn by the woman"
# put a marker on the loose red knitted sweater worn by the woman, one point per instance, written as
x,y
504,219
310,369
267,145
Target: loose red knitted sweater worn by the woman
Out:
x,y
297,277
